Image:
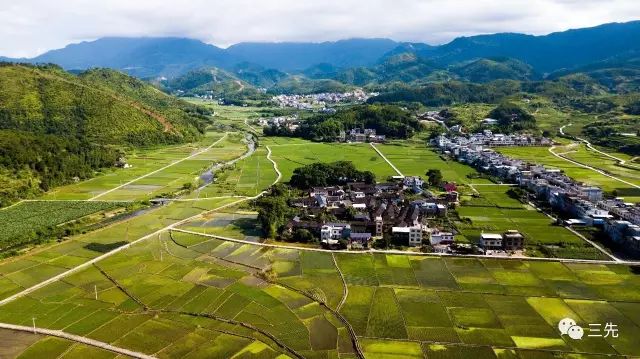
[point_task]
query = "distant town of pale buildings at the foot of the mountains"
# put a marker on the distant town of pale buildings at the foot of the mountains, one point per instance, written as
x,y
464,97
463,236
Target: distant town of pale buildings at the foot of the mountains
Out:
x,y
321,100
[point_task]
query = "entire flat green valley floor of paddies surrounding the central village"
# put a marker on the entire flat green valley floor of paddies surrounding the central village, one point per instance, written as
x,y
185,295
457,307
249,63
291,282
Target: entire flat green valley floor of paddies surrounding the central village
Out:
x,y
191,278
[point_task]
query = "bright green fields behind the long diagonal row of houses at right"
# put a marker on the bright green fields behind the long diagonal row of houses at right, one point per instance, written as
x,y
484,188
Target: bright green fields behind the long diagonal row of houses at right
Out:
x,y
581,154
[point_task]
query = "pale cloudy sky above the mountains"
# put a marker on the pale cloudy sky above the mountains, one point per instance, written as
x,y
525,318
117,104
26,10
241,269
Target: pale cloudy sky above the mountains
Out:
x,y
31,27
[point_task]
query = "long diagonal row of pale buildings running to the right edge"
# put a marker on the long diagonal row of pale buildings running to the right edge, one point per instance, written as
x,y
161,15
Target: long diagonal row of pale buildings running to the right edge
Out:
x,y
585,205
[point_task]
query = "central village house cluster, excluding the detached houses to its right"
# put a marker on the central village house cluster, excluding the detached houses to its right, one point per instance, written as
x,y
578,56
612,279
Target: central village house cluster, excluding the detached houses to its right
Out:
x,y
362,211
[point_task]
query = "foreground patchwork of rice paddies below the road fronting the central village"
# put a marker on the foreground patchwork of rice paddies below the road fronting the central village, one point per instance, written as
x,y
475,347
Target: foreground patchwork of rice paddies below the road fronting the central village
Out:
x,y
192,296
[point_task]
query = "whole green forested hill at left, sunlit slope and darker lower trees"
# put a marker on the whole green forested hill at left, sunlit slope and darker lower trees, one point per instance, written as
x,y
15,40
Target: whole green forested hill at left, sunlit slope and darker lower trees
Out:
x,y
55,126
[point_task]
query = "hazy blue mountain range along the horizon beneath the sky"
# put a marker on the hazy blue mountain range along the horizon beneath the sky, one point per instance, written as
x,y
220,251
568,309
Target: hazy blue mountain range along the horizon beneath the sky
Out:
x,y
358,62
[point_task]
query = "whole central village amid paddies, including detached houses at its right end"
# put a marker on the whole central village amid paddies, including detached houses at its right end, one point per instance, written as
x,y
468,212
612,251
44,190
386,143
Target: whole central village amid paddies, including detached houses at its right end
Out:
x,y
402,213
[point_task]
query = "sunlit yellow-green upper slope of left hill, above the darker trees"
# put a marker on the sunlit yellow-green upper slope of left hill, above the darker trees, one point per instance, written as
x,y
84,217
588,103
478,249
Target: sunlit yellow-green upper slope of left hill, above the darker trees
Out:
x,y
103,106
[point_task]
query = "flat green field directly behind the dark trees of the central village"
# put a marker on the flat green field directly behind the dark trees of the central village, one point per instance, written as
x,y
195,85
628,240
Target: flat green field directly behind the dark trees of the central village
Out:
x,y
290,155
